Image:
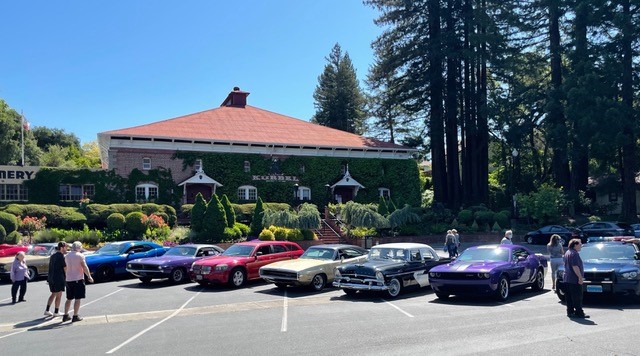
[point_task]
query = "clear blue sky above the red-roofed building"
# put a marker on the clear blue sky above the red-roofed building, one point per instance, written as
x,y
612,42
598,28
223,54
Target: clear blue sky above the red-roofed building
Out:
x,y
93,66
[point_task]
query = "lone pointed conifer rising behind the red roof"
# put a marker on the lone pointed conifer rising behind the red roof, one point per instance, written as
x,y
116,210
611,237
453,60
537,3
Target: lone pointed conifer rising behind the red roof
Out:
x,y
339,101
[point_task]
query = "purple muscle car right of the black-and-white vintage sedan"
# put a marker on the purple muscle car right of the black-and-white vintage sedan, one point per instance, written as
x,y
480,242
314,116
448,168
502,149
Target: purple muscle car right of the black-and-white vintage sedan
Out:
x,y
490,270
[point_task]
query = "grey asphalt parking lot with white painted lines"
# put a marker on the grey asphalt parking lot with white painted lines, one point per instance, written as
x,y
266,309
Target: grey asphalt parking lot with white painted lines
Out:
x,y
124,317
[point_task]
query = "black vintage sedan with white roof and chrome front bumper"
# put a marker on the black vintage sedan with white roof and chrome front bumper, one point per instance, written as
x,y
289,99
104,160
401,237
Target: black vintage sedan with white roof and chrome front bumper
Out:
x,y
389,268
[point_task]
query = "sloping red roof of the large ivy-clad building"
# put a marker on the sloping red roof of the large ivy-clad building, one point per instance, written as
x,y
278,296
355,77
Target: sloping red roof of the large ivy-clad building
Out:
x,y
250,125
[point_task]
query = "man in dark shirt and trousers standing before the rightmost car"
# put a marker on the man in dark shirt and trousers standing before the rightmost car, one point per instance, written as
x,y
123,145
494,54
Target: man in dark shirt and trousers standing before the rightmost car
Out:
x,y
573,279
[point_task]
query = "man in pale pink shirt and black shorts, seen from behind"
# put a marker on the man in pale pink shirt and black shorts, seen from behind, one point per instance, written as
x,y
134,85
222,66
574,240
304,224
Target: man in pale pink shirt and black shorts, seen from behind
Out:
x,y
76,290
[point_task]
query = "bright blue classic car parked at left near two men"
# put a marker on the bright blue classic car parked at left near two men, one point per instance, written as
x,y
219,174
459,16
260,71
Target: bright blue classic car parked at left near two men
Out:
x,y
111,259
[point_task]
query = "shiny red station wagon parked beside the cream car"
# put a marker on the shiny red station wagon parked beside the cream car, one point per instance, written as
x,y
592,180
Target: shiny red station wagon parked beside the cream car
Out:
x,y
242,261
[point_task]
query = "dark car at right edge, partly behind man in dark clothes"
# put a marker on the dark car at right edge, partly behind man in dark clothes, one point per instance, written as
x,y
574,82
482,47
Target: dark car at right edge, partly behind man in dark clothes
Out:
x,y
609,268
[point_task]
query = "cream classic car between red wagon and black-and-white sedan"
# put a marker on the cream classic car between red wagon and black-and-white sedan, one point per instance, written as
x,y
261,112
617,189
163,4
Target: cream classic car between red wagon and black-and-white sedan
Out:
x,y
314,268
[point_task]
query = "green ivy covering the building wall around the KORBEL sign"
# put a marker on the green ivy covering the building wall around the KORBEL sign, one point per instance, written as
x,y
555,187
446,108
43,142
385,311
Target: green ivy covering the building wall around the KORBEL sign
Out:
x,y
400,176
